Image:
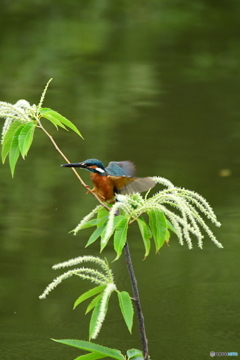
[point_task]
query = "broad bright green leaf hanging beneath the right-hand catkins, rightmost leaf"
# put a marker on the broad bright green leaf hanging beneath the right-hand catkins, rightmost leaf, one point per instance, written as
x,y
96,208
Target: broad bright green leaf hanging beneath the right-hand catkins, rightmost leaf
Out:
x,y
158,224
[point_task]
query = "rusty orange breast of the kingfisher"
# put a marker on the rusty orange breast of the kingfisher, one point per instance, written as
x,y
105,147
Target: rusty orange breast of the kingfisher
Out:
x,y
103,187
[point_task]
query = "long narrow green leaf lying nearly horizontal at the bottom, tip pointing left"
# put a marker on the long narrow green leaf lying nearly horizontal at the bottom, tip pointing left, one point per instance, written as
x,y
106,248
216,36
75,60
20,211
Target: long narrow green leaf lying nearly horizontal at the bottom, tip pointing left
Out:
x,y
89,346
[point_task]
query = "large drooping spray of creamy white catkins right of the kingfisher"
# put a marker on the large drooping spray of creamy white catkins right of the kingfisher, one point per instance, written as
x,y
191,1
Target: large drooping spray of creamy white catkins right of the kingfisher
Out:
x,y
189,203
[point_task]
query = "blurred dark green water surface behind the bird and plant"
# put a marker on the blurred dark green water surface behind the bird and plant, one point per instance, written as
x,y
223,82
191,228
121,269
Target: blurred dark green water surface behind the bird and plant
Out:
x,y
155,82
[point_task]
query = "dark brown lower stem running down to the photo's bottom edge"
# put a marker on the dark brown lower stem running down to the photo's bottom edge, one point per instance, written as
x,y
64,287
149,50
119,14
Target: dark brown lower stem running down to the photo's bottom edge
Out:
x,y
137,301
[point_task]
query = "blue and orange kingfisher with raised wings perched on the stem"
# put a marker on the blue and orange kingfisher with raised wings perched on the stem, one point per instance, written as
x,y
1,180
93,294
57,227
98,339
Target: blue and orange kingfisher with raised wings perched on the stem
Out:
x,y
117,178
